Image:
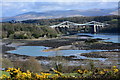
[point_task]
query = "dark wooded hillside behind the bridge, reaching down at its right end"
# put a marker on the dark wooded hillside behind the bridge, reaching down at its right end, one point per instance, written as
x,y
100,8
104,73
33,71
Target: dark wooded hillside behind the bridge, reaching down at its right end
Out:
x,y
112,20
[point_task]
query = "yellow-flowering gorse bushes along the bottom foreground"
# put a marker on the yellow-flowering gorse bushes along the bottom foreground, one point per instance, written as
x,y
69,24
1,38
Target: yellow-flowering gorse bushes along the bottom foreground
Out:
x,y
17,74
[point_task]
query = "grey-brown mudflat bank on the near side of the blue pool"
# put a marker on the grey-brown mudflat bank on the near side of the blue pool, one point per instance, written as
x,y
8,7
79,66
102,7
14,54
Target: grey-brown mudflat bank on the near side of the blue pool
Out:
x,y
48,62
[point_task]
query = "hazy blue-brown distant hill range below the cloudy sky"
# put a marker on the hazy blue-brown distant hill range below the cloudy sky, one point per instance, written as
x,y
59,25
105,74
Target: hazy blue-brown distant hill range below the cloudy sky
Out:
x,y
61,13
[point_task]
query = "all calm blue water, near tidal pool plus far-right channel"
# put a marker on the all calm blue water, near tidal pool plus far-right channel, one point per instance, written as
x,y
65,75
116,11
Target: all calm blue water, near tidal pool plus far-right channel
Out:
x,y
38,50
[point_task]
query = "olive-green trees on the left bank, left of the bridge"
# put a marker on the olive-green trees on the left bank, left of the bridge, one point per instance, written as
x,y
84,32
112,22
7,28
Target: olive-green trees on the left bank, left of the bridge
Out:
x,y
26,31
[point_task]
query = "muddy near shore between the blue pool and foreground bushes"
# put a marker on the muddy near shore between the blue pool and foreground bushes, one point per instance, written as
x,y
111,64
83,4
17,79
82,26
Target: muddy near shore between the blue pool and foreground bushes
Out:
x,y
66,60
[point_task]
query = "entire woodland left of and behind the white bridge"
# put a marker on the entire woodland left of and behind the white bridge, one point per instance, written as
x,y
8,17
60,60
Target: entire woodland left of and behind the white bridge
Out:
x,y
29,29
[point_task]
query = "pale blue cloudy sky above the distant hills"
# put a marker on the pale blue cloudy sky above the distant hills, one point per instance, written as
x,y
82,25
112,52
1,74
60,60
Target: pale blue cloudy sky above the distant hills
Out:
x,y
10,8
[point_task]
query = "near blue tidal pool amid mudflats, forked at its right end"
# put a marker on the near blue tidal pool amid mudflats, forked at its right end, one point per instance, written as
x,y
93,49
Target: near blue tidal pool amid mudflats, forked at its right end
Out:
x,y
38,51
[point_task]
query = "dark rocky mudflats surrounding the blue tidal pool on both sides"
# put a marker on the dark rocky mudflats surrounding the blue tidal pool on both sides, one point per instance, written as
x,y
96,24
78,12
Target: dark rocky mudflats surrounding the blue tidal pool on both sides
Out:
x,y
61,44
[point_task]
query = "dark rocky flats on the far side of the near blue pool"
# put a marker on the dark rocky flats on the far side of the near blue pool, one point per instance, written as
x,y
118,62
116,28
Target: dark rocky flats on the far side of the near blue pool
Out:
x,y
62,44
